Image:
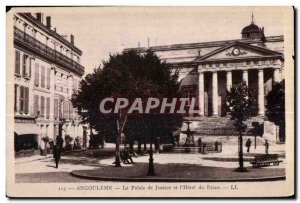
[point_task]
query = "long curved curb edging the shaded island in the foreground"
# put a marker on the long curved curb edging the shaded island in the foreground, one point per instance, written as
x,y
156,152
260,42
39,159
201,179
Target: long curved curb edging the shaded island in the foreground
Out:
x,y
157,179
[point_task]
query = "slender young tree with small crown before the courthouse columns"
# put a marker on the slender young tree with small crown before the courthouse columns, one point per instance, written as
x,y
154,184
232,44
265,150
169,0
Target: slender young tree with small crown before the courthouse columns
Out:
x,y
239,102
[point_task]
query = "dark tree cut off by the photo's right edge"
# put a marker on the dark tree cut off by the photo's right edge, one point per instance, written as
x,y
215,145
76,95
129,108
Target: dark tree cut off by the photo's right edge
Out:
x,y
276,107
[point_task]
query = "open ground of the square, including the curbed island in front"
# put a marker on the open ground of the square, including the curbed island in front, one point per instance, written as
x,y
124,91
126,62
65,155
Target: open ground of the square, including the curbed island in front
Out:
x,y
185,166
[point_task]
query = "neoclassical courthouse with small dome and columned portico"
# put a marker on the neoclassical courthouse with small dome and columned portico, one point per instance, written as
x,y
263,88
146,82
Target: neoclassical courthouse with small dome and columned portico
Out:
x,y
208,69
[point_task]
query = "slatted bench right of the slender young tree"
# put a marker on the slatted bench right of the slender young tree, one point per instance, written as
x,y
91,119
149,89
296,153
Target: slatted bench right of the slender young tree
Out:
x,y
265,160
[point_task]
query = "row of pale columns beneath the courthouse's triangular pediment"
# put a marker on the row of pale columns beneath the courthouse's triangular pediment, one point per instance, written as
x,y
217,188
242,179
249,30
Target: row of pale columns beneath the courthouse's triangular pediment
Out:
x,y
217,98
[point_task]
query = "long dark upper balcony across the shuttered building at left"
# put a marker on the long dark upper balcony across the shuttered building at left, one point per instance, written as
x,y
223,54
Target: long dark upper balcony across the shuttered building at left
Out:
x,y
28,42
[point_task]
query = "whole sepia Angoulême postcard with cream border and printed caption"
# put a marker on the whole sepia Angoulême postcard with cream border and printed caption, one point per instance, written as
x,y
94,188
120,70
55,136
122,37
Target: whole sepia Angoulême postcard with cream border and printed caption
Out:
x,y
150,102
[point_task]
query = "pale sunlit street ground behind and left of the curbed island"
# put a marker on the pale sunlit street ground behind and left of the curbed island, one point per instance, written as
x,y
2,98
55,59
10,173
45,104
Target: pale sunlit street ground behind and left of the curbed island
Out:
x,y
43,170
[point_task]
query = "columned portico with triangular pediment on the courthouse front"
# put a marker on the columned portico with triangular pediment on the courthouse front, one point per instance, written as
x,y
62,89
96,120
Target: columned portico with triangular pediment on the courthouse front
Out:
x,y
219,70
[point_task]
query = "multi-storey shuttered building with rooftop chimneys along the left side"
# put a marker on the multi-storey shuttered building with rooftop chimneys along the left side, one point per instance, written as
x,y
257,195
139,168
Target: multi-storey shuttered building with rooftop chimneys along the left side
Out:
x,y
47,71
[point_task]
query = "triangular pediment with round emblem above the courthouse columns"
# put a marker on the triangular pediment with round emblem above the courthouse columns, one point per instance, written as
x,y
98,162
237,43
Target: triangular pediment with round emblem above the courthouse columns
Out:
x,y
237,50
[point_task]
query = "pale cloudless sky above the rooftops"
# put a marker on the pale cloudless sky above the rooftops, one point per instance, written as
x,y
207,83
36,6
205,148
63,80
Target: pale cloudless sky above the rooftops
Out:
x,y
104,30
